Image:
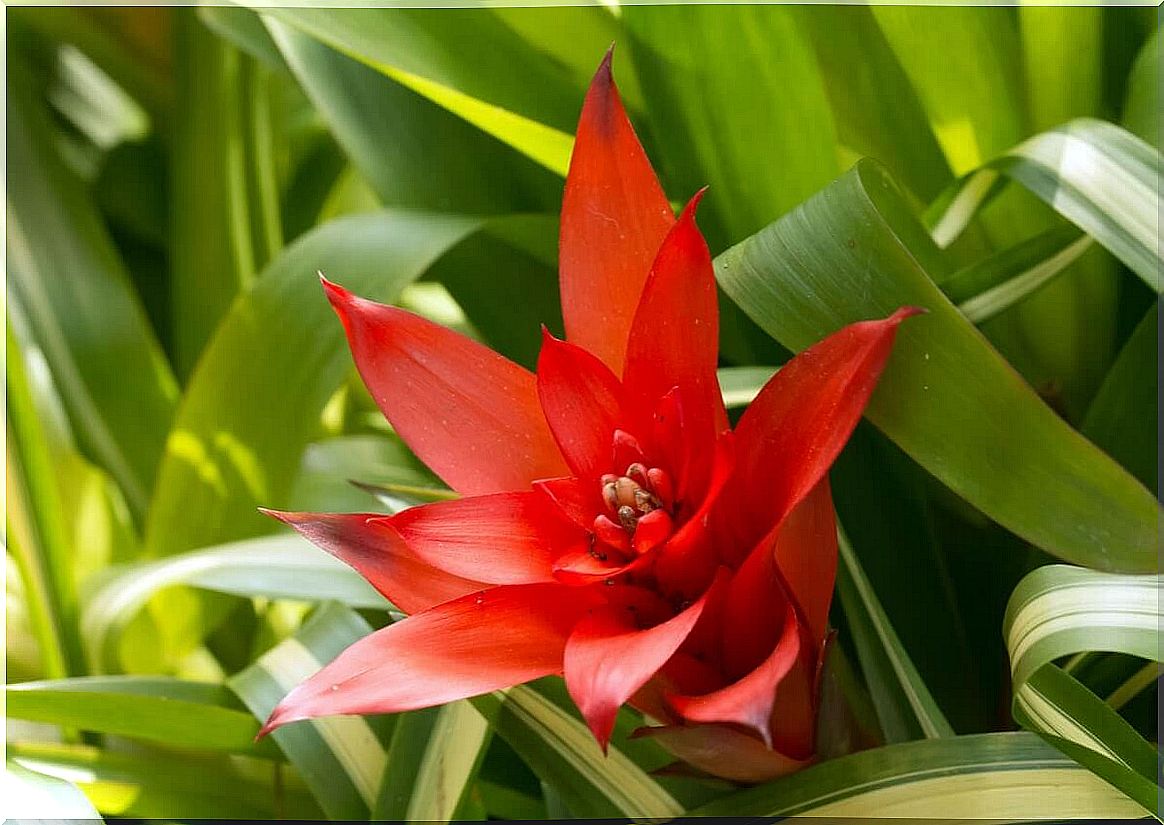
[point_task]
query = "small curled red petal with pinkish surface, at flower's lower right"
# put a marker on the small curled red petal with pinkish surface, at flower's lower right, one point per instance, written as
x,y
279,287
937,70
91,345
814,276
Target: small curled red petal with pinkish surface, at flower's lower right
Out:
x,y
749,701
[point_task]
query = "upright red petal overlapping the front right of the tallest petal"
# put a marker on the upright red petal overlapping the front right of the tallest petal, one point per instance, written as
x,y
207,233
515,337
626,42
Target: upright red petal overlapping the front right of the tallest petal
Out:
x,y
676,339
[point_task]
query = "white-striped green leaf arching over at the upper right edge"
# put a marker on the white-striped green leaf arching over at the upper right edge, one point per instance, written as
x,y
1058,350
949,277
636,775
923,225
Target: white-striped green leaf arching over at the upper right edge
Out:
x,y
1096,175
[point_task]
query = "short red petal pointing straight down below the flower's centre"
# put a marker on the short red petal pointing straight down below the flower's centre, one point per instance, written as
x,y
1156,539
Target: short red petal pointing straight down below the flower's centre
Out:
x,y
609,658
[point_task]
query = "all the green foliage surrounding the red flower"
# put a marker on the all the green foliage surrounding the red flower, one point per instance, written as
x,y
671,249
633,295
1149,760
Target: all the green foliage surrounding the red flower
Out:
x,y
176,177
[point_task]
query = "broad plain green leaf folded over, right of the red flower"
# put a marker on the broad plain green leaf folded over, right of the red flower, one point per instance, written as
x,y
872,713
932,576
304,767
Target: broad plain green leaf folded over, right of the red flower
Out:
x,y
947,399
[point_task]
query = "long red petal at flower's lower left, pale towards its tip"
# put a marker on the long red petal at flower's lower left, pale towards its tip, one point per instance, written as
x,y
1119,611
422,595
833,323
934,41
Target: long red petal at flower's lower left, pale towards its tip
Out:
x,y
480,643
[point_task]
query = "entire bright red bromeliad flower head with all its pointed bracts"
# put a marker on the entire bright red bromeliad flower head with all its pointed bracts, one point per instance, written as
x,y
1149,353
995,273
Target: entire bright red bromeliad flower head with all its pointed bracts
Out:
x,y
613,528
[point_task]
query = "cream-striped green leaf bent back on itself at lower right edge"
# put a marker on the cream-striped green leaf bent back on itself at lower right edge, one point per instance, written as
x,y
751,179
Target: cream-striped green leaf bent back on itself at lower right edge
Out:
x,y
1059,611
